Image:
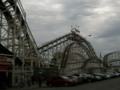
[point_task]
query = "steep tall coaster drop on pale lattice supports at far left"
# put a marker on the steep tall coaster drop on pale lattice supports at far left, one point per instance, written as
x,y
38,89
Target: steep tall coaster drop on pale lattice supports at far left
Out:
x,y
15,34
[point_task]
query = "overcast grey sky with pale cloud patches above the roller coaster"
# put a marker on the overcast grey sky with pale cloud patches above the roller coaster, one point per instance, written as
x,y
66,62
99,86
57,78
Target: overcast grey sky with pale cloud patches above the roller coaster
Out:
x,y
49,19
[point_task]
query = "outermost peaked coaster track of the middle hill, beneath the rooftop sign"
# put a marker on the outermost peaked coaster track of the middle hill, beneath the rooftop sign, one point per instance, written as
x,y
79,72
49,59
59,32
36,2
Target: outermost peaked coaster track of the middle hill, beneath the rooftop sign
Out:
x,y
70,37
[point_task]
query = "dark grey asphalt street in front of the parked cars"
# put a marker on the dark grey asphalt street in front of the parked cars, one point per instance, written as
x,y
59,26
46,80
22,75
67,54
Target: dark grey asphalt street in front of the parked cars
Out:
x,y
111,84
